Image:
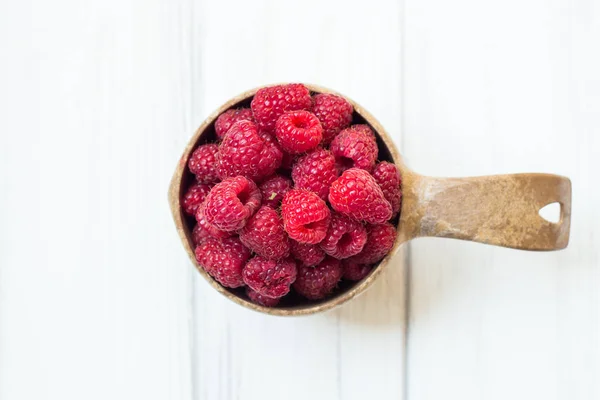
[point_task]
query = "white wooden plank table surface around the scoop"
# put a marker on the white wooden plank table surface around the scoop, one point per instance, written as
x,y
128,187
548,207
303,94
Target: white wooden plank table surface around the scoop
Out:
x,y
98,299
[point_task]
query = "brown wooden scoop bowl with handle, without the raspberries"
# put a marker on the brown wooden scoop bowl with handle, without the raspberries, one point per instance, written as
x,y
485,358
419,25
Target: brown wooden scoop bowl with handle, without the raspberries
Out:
x,y
500,210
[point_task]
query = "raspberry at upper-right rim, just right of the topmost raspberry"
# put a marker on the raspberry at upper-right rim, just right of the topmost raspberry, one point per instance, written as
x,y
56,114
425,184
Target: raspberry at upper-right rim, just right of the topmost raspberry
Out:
x,y
334,112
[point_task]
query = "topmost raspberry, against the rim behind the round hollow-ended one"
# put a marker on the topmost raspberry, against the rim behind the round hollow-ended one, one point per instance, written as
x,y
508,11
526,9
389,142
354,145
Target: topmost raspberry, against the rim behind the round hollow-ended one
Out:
x,y
270,103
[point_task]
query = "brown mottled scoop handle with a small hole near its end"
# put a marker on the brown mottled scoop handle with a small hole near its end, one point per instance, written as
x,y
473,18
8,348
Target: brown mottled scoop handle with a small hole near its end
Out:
x,y
501,210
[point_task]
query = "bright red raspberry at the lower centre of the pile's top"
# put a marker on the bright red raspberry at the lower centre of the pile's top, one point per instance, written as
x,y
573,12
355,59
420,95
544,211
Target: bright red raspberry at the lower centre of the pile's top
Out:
x,y
305,216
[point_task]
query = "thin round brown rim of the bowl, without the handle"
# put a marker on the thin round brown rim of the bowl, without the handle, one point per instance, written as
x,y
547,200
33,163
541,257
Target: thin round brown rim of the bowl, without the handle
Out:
x,y
175,191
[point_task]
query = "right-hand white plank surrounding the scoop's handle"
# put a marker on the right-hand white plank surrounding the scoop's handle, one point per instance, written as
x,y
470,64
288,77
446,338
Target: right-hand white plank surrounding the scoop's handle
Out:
x,y
502,88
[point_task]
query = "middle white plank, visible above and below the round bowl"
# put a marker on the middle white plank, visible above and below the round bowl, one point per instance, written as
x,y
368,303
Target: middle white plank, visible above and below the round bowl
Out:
x,y
240,354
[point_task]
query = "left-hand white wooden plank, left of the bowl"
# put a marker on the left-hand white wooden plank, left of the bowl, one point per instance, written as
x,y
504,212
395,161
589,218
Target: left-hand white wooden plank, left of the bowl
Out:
x,y
94,290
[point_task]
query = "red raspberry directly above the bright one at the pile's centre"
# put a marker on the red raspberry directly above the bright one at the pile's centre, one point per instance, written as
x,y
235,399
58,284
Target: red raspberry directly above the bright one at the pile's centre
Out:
x,y
315,171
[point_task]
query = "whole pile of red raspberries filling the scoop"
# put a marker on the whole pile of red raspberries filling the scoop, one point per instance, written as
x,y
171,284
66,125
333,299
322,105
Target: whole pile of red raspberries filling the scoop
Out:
x,y
291,197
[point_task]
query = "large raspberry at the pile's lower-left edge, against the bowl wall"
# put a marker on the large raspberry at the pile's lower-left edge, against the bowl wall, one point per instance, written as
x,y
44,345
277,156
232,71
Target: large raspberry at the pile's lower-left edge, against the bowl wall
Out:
x,y
223,260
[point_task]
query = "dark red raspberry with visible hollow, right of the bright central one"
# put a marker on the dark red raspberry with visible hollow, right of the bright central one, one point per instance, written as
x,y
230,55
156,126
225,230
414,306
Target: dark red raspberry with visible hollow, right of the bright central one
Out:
x,y
345,237
